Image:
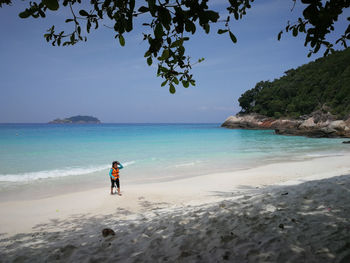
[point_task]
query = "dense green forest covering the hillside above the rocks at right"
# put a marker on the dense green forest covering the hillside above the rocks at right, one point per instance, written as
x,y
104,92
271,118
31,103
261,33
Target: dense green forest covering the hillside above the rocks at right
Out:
x,y
324,82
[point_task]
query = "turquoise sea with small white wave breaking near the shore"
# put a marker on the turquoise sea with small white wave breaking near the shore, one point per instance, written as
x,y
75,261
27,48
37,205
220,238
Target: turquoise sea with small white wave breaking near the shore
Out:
x,y
33,154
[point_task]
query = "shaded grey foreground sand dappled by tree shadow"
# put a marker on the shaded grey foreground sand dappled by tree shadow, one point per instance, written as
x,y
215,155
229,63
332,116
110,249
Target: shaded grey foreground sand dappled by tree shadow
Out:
x,y
309,222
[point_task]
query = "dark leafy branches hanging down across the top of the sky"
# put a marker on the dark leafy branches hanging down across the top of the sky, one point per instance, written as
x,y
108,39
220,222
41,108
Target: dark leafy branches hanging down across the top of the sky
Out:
x,y
172,22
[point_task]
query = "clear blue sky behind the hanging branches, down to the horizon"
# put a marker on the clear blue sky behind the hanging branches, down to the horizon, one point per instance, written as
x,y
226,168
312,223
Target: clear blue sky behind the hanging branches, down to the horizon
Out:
x,y
40,82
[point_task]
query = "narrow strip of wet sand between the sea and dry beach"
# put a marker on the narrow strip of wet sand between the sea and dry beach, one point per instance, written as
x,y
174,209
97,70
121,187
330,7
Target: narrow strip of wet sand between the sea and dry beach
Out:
x,y
52,187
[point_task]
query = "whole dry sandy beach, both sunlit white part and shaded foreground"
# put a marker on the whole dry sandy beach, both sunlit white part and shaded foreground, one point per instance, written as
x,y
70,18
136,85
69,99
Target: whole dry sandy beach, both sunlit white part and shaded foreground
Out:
x,y
240,216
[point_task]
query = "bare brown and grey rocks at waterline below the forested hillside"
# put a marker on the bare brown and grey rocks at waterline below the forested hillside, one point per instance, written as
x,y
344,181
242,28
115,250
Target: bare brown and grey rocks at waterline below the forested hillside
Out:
x,y
317,124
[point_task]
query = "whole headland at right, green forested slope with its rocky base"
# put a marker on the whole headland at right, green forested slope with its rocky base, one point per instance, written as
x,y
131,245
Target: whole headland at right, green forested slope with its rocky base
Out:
x,y
312,100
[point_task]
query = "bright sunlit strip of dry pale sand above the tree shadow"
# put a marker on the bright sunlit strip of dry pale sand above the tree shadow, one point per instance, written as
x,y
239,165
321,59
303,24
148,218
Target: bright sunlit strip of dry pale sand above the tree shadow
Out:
x,y
21,216
